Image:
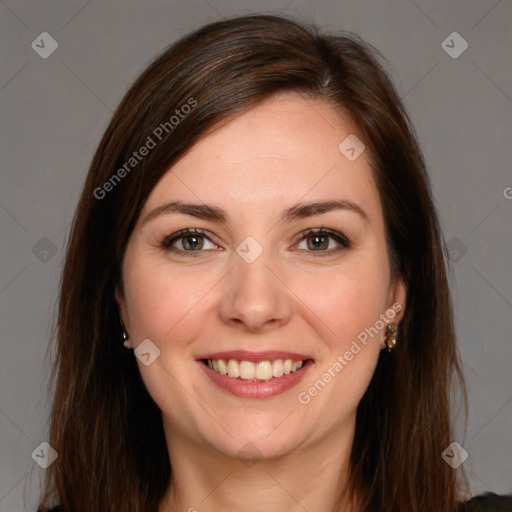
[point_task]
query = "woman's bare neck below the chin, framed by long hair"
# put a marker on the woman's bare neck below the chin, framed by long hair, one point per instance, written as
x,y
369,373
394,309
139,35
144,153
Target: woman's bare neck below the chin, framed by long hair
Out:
x,y
310,478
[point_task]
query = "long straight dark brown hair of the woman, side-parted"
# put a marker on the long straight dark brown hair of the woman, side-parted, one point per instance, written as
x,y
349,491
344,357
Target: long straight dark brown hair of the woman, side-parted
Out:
x,y
104,425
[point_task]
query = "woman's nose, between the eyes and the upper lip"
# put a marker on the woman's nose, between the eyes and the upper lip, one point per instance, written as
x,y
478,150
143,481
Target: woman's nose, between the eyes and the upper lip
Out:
x,y
255,295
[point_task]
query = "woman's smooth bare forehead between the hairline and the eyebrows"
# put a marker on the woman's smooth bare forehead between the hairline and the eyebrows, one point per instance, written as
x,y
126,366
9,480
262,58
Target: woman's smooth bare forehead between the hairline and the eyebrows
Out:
x,y
280,152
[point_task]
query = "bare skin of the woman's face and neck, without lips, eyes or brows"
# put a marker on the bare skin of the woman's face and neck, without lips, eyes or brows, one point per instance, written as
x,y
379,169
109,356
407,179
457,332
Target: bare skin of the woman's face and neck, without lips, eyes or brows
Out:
x,y
273,156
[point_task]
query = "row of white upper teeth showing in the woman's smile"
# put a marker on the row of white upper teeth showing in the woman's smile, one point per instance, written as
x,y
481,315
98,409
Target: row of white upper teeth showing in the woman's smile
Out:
x,y
247,370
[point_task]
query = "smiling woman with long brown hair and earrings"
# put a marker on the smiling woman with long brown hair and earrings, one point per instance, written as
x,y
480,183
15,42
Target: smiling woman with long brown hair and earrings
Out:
x,y
254,312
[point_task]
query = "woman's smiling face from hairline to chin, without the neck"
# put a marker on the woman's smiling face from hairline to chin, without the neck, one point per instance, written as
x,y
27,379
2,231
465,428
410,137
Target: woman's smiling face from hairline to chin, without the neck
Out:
x,y
255,287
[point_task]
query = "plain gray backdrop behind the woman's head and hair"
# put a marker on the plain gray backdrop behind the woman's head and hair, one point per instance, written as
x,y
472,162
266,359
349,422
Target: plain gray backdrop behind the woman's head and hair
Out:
x,y
53,112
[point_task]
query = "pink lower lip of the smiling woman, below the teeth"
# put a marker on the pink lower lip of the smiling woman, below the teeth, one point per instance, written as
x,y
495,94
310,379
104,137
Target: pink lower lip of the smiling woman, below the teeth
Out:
x,y
257,389
